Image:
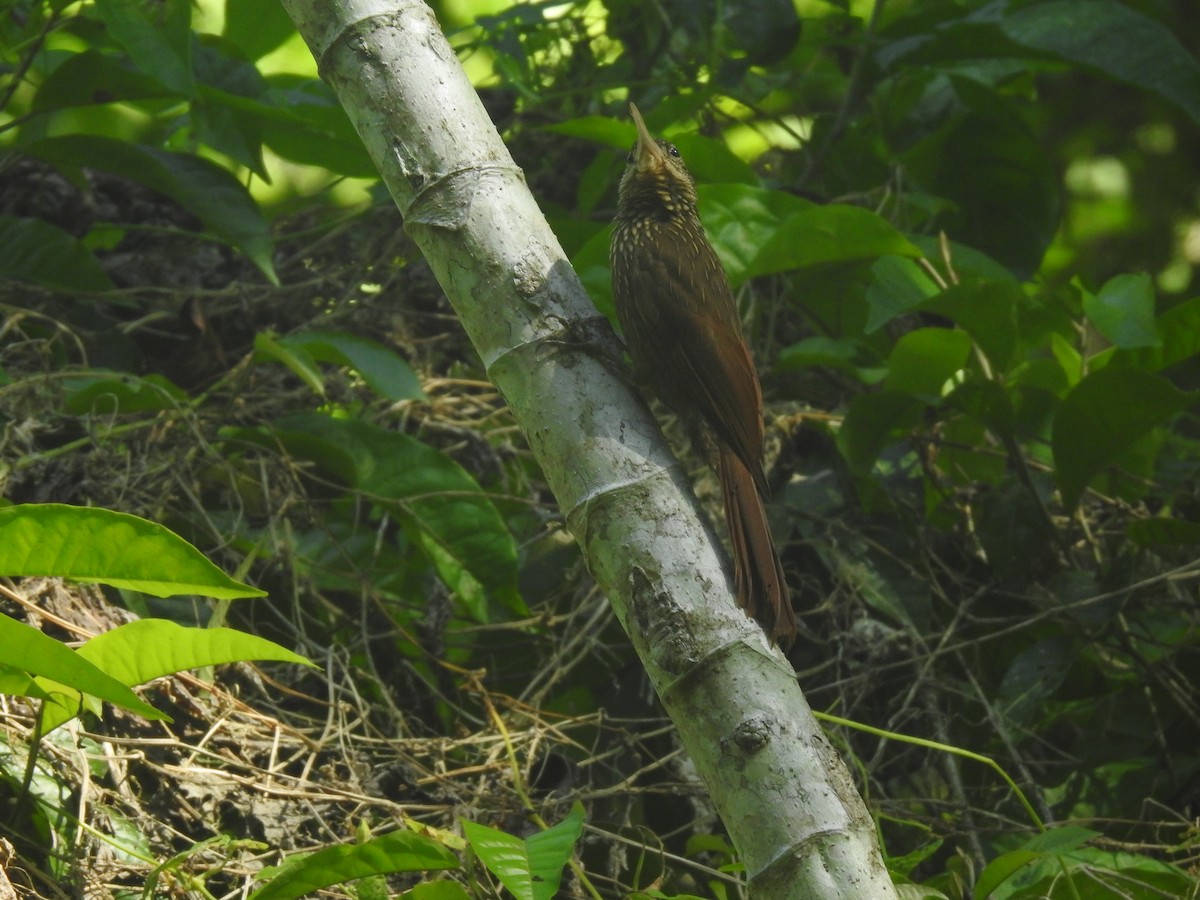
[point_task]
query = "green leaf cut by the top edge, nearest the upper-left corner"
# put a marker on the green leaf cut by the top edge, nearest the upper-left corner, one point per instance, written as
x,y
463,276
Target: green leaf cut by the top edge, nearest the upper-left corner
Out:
x,y
160,49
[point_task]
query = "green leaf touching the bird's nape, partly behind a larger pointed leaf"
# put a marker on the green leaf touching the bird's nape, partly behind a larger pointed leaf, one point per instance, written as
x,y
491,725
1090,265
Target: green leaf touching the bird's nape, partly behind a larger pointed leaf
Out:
x,y
741,219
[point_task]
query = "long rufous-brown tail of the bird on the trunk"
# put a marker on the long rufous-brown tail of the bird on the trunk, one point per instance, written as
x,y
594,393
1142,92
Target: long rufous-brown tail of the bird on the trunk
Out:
x,y
758,573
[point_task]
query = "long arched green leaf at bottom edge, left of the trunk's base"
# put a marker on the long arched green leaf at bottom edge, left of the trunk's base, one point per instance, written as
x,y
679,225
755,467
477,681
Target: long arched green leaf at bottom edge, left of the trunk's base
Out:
x,y
397,853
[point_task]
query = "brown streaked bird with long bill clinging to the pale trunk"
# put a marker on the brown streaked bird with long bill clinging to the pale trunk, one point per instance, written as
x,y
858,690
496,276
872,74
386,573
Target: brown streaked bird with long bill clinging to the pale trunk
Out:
x,y
683,333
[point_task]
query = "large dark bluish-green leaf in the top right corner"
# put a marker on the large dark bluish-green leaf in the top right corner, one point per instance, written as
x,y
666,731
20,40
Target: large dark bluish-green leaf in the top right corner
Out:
x,y
1115,40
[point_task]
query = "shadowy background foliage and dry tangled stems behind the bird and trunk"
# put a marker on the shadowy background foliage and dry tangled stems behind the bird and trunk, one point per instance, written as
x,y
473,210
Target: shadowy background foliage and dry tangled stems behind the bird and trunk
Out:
x,y
967,239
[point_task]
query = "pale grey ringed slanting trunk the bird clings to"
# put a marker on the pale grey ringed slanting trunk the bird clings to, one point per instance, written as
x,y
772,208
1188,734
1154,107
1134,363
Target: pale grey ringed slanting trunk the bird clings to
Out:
x,y
783,793
